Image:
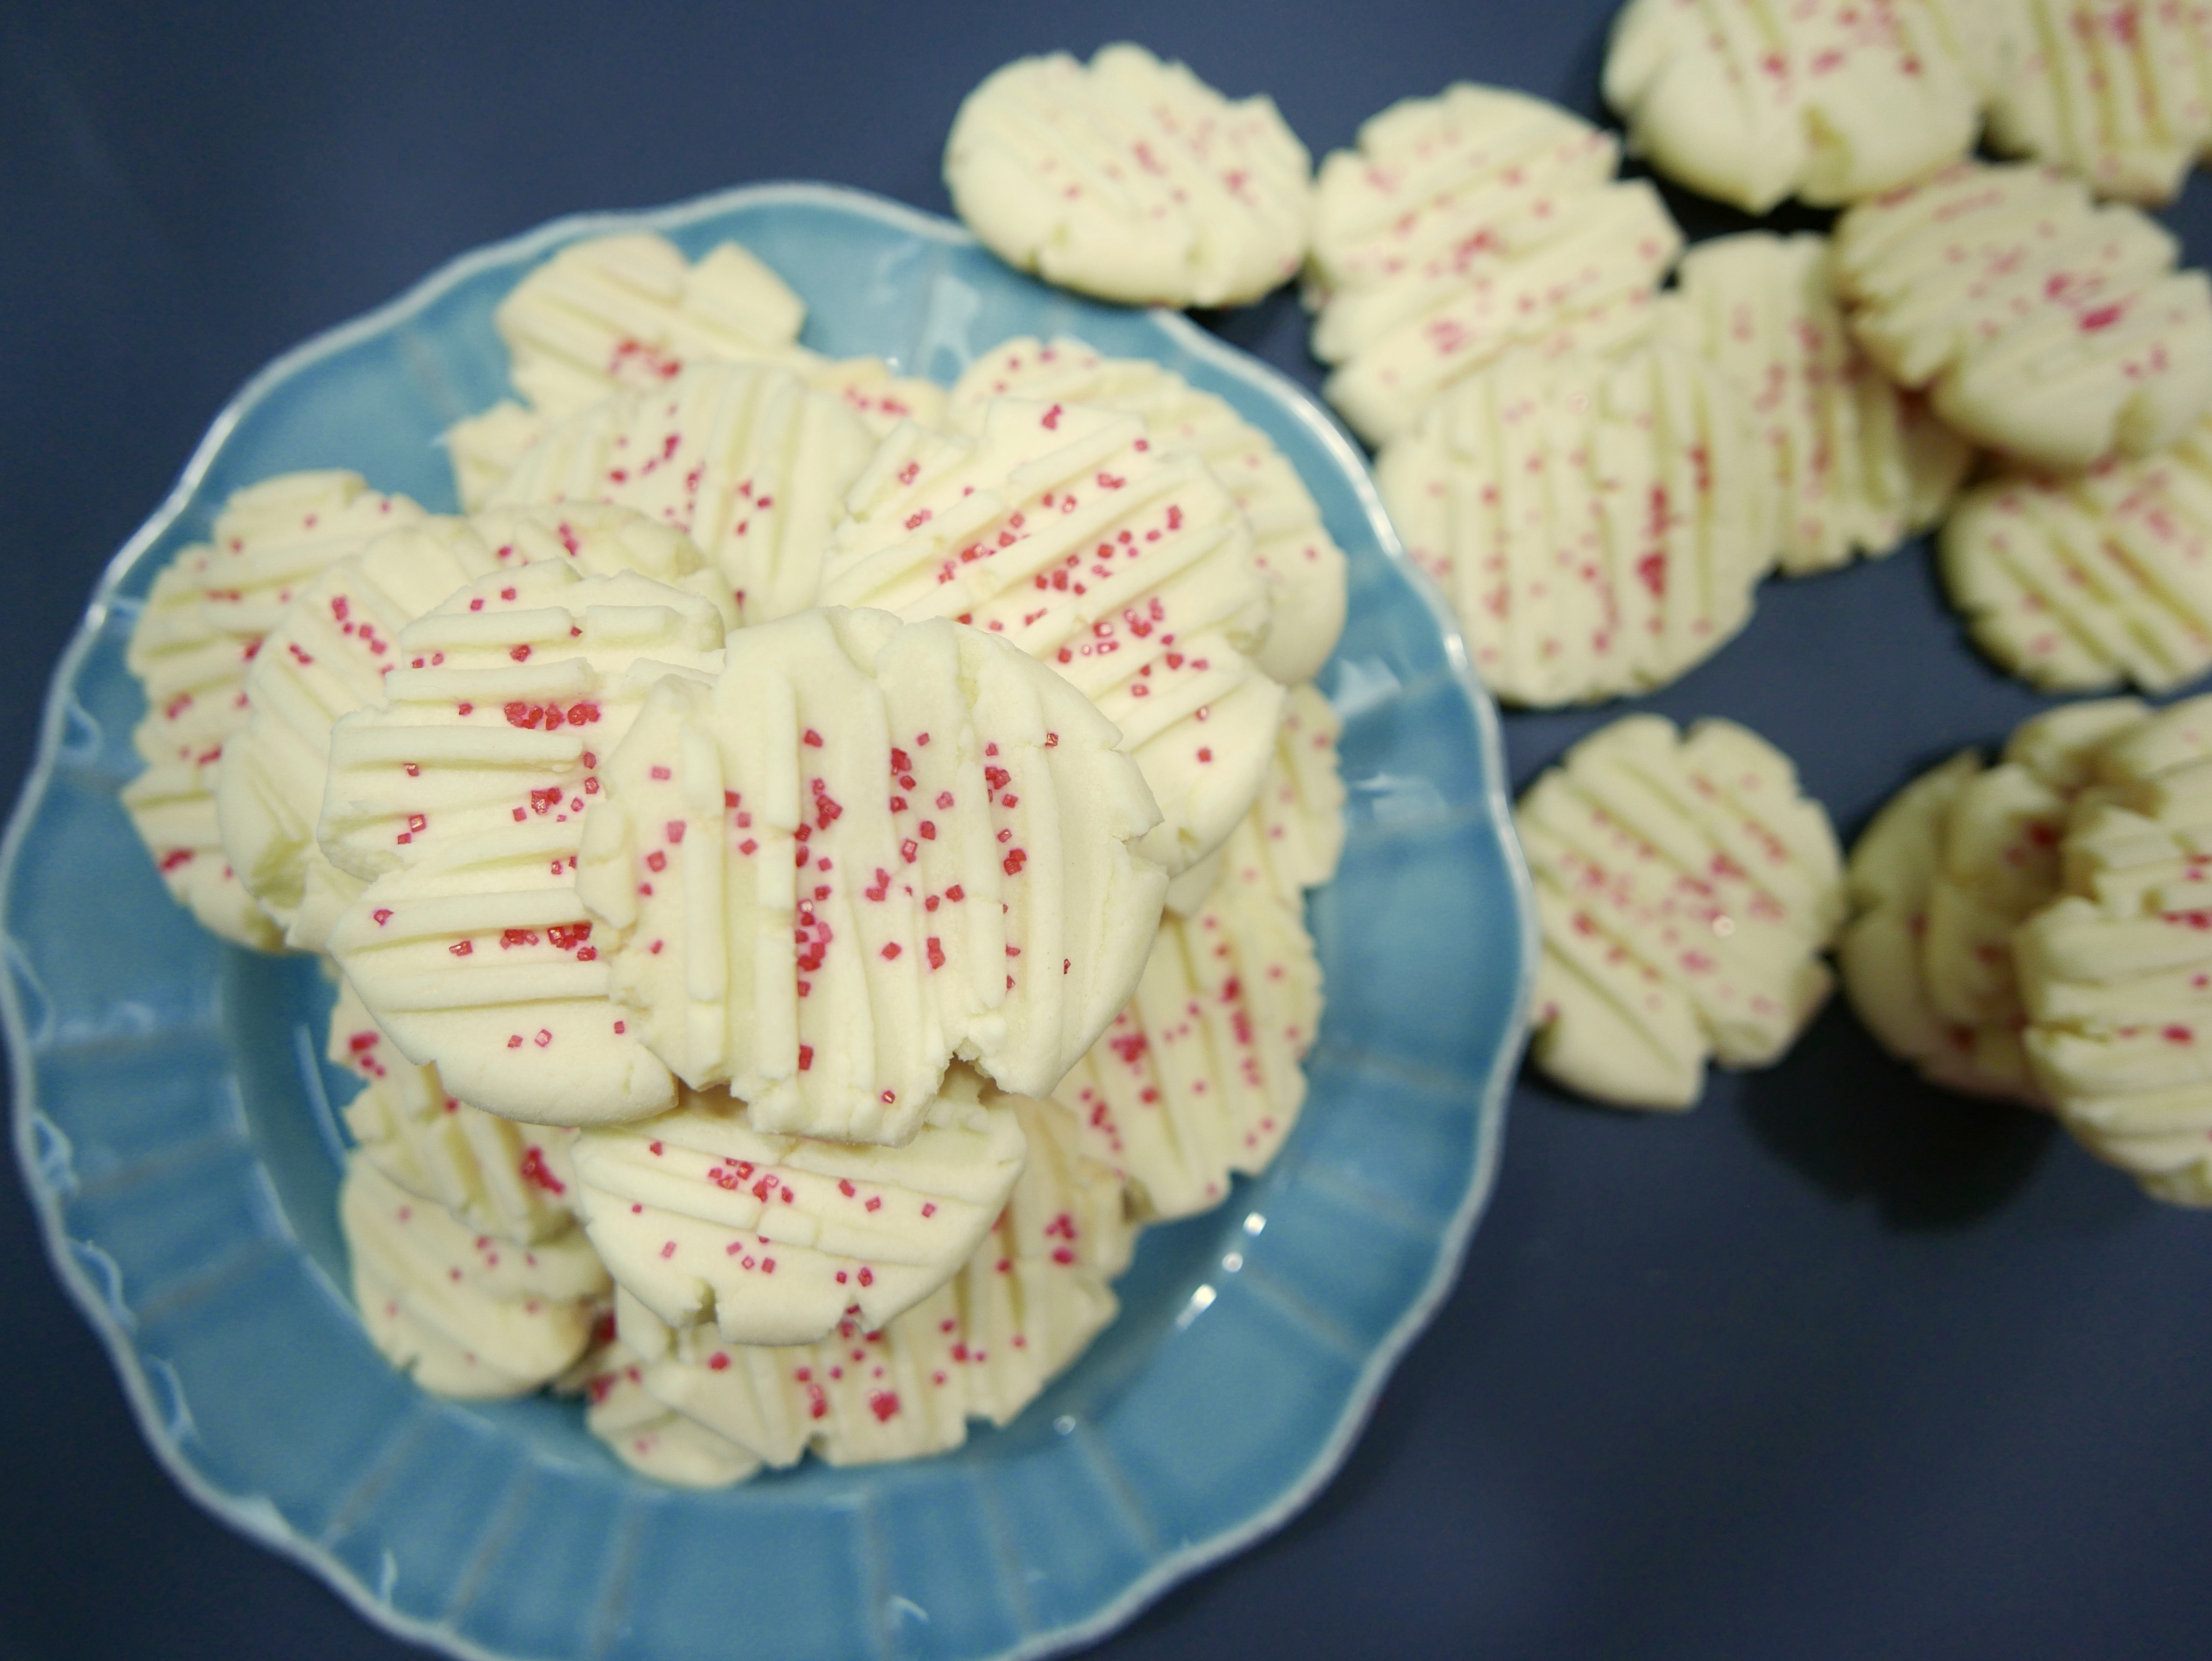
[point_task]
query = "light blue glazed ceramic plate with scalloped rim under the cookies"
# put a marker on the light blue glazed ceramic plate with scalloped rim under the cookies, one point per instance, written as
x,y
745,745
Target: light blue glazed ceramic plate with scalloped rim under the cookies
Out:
x,y
176,1122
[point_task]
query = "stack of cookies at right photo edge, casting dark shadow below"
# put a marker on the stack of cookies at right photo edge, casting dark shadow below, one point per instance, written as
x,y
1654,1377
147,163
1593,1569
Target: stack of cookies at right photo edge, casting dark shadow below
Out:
x,y
2038,932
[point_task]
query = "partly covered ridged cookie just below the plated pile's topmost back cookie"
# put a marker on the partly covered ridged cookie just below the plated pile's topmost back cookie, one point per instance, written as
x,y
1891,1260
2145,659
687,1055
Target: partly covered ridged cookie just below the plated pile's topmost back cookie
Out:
x,y
742,459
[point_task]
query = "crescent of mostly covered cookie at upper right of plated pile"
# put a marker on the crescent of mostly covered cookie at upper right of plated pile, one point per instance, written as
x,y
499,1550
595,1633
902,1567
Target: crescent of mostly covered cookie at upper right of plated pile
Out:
x,y
1304,567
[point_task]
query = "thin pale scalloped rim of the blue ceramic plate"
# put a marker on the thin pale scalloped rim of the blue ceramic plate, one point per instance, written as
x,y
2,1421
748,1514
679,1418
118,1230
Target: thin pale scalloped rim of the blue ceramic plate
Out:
x,y
255,1516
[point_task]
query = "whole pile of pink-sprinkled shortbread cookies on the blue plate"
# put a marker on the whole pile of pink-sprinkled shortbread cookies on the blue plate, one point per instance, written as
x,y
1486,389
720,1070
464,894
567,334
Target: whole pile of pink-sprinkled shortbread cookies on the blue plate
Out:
x,y
811,861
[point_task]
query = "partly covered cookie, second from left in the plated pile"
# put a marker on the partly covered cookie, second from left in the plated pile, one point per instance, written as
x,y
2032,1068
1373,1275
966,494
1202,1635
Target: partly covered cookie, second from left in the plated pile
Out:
x,y
333,649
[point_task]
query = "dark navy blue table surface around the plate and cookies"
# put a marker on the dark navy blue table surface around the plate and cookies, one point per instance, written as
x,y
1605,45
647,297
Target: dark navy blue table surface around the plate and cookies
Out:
x,y
1833,1368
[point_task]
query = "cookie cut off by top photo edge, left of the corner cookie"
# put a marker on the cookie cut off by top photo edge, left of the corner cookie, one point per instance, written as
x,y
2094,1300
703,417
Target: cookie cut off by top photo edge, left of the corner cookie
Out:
x,y
1828,101
